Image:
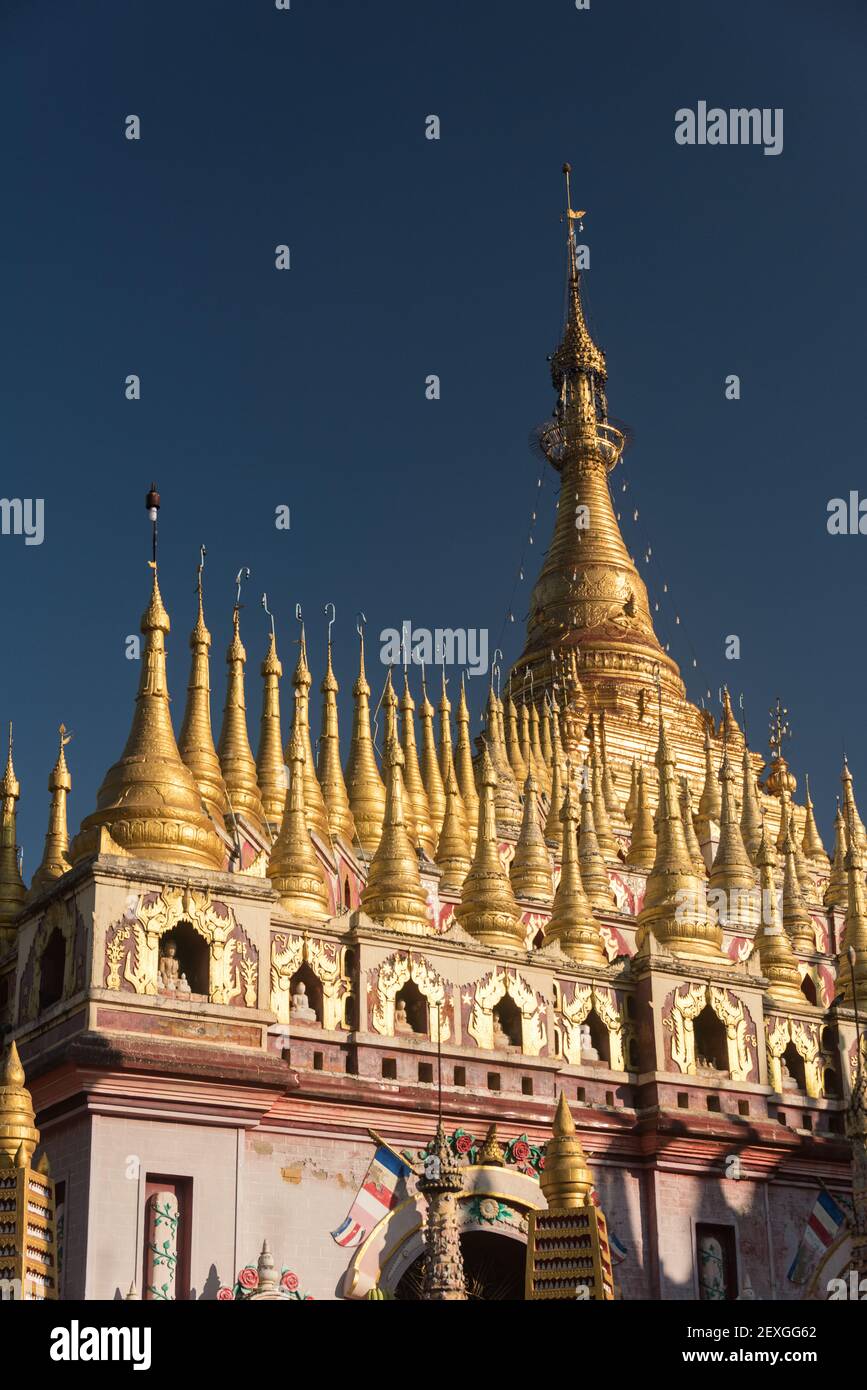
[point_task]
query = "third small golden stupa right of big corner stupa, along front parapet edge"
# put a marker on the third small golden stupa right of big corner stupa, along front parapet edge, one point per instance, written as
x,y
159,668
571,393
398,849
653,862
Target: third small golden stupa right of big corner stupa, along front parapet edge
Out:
x,y
488,908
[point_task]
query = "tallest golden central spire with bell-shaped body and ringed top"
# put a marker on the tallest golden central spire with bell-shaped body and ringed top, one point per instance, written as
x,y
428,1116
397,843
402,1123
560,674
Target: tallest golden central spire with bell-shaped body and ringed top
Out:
x,y
590,593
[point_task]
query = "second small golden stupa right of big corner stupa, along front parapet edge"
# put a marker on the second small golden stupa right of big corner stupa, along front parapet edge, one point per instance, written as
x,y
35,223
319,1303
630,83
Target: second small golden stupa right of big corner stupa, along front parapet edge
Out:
x,y
394,894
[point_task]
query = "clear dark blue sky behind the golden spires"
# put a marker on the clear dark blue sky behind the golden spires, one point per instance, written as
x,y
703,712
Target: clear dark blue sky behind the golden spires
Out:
x,y
411,258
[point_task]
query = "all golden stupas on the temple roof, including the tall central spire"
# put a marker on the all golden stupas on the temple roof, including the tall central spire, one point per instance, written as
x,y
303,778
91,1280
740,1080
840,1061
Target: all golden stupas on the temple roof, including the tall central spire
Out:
x,y
608,708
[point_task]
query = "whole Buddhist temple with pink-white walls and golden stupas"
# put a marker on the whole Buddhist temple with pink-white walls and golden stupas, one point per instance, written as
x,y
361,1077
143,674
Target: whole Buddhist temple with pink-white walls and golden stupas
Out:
x,y
569,1011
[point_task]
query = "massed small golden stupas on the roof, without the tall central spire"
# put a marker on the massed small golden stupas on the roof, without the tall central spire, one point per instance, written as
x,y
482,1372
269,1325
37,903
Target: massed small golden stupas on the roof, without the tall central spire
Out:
x,y
179,800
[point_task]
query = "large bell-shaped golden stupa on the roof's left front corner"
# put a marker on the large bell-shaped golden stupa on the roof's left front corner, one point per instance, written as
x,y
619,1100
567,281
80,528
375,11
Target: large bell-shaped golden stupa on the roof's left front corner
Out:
x,y
149,801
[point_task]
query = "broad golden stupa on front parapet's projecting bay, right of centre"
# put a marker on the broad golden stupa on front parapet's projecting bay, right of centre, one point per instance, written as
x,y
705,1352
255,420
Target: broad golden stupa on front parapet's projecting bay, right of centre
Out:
x,y
676,903
